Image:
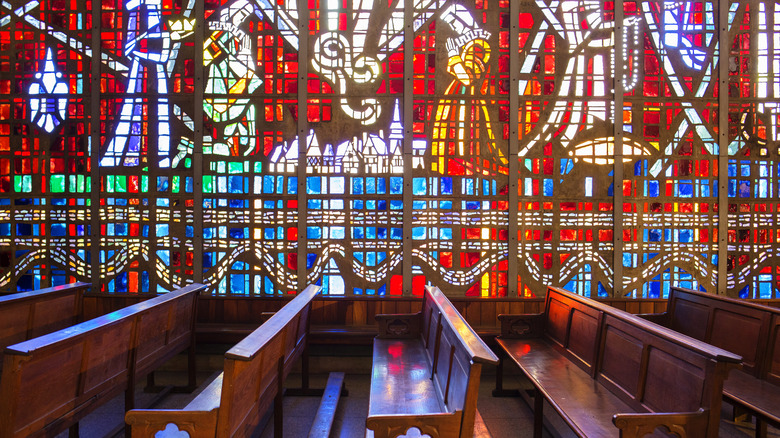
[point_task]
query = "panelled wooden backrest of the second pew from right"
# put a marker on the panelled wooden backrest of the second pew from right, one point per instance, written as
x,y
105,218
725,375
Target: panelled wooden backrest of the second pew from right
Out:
x,y
649,367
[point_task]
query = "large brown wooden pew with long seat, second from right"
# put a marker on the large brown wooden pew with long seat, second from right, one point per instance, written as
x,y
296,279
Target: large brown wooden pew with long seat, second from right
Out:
x,y
609,373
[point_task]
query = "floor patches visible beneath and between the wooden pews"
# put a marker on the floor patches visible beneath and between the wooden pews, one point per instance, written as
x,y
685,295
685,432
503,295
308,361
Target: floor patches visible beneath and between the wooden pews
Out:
x,y
504,417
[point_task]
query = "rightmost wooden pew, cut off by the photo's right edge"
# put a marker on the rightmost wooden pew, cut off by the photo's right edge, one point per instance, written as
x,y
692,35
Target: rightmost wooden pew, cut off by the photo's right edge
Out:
x,y
747,329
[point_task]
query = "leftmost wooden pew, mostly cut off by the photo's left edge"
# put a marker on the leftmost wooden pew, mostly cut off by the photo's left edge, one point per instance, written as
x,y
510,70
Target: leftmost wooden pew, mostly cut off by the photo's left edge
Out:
x,y
26,315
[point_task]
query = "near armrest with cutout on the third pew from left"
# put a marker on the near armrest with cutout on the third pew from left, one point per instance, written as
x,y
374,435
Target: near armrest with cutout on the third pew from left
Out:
x,y
146,423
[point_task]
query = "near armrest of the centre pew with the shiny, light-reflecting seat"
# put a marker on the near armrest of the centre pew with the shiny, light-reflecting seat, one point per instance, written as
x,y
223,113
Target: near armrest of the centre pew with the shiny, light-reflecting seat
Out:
x,y
390,426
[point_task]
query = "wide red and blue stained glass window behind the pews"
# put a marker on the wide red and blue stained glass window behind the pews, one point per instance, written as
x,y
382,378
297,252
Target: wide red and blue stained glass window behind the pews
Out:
x,y
489,147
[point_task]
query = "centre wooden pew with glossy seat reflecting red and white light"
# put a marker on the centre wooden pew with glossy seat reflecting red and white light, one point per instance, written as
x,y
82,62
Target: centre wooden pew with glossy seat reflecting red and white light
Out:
x,y
426,372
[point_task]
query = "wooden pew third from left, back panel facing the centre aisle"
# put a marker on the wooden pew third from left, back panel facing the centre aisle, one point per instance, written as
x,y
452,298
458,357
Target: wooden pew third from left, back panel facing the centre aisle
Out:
x,y
254,372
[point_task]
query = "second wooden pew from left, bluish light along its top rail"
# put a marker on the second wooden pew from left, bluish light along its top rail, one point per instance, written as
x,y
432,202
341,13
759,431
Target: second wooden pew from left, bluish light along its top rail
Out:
x,y
50,382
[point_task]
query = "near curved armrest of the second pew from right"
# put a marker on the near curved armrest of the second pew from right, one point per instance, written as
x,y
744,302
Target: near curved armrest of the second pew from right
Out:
x,y
682,424
